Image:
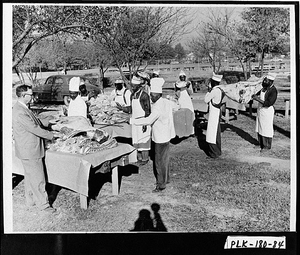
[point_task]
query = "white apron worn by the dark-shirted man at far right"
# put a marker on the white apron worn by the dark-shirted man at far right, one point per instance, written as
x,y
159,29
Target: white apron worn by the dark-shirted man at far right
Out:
x,y
264,119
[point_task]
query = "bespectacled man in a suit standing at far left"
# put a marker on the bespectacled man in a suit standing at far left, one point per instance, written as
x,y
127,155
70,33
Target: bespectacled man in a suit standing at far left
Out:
x,y
28,135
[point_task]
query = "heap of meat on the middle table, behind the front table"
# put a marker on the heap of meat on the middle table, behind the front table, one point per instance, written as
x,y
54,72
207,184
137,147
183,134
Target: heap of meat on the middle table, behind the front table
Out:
x,y
102,111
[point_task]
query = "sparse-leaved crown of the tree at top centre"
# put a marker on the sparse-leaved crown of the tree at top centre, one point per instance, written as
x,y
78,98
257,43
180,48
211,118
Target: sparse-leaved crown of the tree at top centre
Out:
x,y
131,34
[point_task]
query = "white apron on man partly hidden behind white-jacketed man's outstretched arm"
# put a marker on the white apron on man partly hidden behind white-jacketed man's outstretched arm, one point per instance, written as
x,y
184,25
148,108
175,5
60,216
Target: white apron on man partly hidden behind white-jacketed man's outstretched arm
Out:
x,y
139,139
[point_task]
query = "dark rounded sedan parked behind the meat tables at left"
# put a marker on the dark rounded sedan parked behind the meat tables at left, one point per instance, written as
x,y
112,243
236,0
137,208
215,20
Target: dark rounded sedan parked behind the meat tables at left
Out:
x,y
56,89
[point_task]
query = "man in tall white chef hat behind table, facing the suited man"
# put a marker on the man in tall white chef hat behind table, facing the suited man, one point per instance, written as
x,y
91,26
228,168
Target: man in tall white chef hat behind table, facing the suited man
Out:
x,y
77,106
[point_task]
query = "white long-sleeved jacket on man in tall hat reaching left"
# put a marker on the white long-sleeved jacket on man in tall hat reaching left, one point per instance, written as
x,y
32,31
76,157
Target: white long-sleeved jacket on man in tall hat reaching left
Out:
x,y
161,119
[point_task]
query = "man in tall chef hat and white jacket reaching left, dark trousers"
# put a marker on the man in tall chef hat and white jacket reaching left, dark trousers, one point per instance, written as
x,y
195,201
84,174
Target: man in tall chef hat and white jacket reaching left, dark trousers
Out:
x,y
161,120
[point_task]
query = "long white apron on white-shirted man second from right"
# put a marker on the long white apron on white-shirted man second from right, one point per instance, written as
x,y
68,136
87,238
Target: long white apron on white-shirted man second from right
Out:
x,y
212,125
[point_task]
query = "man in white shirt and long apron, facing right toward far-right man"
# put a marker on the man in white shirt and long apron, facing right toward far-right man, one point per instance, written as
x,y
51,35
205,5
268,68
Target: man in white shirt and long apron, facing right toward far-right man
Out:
x,y
214,99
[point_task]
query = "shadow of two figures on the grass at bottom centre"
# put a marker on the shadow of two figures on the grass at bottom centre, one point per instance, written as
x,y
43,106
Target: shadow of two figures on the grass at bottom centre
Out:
x,y
146,223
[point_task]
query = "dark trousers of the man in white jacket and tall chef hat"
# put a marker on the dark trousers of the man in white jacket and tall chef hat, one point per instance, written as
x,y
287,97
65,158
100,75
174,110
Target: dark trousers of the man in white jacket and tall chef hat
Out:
x,y
161,163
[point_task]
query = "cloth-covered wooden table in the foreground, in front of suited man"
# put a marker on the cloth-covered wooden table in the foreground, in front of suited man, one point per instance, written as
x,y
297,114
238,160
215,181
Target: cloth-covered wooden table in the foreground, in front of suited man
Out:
x,y
72,170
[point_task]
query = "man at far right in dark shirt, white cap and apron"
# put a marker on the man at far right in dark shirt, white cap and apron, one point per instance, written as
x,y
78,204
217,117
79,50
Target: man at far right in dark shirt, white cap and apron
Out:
x,y
266,99
